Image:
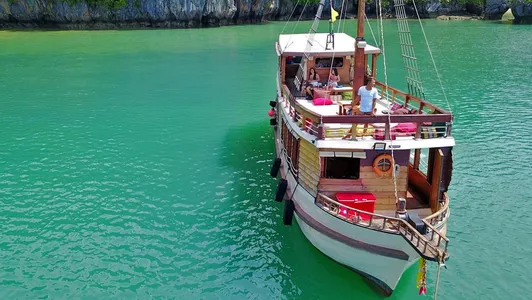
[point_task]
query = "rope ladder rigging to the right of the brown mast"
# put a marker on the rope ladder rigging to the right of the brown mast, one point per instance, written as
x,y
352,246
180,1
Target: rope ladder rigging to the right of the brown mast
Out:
x,y
413,79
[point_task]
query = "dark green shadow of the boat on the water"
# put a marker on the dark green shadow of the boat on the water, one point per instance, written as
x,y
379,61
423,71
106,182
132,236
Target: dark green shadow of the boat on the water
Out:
x,y
294,267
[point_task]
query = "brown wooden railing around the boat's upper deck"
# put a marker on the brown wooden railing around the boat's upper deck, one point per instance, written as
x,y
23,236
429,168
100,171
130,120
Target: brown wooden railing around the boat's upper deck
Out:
x,y
318,122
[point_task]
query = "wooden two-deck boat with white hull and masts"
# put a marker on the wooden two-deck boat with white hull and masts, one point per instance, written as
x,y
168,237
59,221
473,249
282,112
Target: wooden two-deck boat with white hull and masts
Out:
x,y
375,201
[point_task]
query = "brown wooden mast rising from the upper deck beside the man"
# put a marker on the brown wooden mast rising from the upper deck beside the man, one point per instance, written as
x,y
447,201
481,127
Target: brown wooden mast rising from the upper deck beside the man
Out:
x,y
360,44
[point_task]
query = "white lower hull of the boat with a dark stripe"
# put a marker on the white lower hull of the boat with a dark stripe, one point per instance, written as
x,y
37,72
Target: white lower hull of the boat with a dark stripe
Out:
x,y
378,256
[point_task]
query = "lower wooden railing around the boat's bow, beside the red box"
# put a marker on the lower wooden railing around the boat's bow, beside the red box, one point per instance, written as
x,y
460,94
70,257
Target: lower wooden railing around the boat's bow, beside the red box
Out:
x,y
431,246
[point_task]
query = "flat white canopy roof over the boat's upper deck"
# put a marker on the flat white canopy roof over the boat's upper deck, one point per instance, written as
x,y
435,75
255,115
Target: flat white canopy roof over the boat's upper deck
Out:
x,y
344,45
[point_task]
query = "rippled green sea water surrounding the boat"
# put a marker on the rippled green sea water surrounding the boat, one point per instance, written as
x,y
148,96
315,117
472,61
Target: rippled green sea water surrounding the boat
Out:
x,y
134,165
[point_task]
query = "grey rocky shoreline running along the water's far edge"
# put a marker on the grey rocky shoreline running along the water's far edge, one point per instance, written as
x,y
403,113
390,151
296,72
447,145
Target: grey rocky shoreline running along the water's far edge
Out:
x,y
54,14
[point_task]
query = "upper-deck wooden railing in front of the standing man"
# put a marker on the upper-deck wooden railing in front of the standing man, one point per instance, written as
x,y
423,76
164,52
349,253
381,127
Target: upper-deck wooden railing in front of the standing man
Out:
x,y
428,125
